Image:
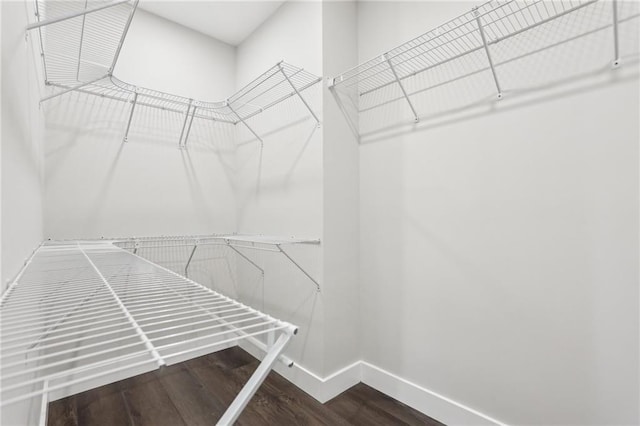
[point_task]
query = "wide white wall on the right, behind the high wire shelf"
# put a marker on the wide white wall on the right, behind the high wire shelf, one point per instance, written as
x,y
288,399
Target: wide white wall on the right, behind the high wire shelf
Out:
x,y
499,252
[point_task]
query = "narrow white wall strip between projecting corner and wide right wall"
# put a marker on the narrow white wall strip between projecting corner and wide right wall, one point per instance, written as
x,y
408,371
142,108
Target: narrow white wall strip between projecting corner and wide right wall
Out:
x,y
342,290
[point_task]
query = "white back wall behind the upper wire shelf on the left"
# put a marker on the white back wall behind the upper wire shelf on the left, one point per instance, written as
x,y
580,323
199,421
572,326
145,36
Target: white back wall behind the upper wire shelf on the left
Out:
x,y
96,185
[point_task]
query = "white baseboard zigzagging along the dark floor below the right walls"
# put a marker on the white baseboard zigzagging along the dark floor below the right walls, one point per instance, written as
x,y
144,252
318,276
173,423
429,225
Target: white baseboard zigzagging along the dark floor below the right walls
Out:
x,y
431,403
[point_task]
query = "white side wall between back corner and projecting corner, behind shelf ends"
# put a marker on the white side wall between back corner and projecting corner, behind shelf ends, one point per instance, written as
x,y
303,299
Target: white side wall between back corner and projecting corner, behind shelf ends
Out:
x,y
280,184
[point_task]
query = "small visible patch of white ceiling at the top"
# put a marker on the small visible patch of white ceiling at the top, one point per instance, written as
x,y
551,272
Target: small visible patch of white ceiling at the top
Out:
x,y
230,21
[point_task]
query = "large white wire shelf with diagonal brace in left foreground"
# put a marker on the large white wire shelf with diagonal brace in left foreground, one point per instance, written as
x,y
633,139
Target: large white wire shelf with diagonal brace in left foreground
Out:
x,y
80,314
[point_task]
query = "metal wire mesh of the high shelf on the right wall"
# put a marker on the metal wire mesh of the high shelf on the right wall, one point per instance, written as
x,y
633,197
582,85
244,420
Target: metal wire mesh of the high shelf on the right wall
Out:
x,y
527,44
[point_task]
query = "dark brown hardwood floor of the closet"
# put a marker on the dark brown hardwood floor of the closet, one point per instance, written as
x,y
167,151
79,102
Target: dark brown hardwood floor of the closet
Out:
x,y
197,392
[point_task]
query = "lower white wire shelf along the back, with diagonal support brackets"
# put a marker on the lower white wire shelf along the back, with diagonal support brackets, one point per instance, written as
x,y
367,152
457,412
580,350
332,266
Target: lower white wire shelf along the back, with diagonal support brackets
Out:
x,y
237,243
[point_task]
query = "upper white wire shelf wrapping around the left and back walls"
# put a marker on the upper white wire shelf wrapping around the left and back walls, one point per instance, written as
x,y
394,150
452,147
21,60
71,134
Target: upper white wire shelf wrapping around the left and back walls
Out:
x,y
80,43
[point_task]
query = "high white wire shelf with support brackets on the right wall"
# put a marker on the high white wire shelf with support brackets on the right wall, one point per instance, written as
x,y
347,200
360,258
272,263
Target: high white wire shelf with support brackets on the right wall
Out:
x,y
483,41
